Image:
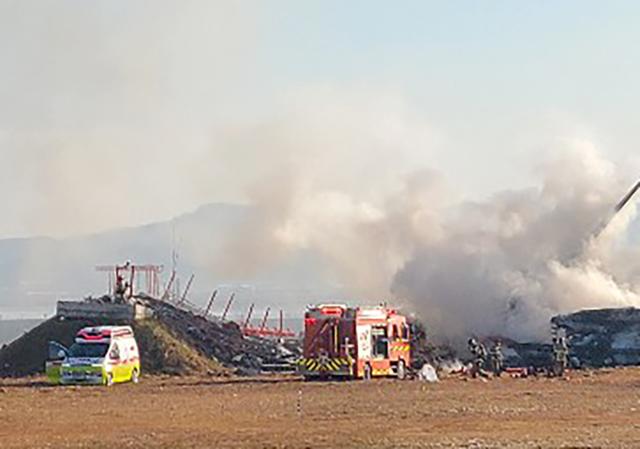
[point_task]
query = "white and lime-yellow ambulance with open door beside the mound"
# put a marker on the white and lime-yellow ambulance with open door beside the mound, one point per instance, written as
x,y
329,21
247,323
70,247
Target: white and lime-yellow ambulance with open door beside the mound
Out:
x,y
101,355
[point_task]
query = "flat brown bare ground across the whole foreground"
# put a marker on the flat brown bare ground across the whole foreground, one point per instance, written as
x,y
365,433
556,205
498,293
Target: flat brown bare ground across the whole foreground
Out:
x,y
589,410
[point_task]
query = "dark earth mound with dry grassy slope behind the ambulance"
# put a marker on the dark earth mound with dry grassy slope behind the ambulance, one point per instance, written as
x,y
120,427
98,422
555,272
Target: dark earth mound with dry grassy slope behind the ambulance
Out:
x,y
174,341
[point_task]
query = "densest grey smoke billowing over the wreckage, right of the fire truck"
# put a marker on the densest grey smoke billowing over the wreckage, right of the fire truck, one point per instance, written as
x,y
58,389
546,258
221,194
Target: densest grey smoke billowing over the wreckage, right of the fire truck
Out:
x,y
506,265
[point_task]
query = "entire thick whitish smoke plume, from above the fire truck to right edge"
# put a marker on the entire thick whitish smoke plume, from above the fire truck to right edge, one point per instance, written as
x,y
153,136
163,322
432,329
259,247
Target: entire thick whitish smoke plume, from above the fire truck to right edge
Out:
x,y
502,266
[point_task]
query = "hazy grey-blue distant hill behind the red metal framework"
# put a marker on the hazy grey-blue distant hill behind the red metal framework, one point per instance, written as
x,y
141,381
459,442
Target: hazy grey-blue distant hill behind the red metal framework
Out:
x,y
35,272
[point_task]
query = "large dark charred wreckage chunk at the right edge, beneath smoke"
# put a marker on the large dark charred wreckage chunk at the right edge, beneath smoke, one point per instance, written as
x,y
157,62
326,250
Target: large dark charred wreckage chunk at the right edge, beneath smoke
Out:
x,y
603,337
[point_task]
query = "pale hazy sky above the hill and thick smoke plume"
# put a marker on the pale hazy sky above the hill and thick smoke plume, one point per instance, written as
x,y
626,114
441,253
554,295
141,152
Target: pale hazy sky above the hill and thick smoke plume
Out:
x,y
116,113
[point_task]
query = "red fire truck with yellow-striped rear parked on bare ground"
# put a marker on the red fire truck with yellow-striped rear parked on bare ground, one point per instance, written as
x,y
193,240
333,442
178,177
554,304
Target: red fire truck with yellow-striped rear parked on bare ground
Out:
x,y
354,342
